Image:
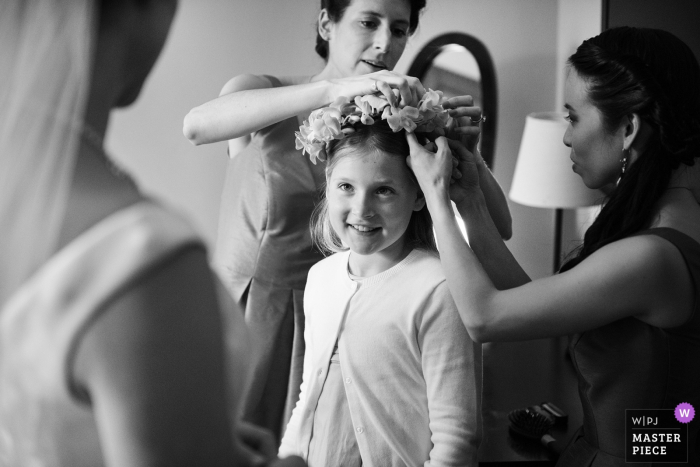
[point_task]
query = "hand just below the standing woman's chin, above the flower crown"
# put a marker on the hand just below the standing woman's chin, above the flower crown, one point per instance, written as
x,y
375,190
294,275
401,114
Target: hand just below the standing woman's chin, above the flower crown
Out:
x,y
410,89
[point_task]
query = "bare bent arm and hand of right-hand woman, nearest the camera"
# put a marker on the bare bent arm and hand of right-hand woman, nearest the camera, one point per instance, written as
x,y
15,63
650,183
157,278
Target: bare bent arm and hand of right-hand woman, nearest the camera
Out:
x,y
643,277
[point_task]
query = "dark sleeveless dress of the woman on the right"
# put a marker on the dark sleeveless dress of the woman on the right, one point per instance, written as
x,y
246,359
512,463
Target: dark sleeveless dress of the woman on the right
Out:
x,y
629,364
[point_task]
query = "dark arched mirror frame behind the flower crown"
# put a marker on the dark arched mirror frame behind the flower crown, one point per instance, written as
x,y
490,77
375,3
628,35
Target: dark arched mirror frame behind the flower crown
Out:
x,y
489,86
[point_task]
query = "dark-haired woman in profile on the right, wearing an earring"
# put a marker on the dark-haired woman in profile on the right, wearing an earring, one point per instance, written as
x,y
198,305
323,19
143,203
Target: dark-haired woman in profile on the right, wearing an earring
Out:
x,y
628,297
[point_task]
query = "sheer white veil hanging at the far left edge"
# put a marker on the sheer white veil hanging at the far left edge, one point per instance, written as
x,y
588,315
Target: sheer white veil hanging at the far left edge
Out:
x,y
45,50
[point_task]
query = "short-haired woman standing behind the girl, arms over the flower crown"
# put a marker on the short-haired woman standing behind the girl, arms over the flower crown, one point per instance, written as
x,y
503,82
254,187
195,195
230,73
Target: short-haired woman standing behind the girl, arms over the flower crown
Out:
x,y
264,249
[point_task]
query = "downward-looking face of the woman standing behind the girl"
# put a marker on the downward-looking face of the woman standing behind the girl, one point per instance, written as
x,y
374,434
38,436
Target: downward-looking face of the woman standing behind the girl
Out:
x,y
370,36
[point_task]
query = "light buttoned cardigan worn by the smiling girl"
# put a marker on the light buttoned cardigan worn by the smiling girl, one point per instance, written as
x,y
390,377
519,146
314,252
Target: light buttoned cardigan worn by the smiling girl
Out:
x,y
412,374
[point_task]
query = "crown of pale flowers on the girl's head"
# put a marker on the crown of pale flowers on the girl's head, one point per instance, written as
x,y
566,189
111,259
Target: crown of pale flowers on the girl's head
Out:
x,y
334,122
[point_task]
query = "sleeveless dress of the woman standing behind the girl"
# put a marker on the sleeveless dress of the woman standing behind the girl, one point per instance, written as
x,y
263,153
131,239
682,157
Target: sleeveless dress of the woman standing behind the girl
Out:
x,y
264,254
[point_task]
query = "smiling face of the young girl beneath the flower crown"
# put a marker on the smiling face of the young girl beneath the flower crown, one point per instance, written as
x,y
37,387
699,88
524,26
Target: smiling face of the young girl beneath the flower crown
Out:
x,y
371,198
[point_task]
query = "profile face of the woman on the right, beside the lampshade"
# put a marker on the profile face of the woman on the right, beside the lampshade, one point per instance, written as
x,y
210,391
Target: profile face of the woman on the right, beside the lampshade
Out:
x,y
595,152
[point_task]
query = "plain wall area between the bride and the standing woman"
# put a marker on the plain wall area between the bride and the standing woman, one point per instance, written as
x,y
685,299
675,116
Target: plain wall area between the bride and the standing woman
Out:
x,y
210,42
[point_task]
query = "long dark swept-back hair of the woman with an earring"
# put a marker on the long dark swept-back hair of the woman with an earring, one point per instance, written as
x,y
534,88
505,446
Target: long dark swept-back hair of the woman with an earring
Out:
x,y
655,75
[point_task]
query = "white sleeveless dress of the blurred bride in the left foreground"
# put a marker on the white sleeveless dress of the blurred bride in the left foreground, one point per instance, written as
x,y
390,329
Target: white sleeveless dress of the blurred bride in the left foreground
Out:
x,y
43,421
